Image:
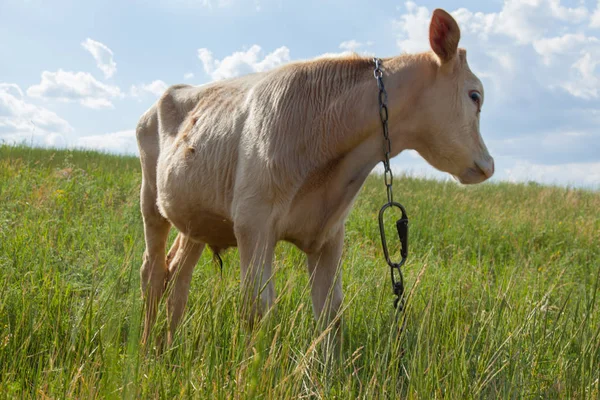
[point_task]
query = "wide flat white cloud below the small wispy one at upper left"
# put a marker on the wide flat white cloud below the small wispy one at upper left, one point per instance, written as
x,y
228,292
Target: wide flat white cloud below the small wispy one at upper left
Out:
x,y
70,86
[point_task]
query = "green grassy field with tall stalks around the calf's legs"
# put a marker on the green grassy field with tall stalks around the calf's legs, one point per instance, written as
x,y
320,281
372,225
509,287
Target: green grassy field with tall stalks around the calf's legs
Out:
x,y
506,302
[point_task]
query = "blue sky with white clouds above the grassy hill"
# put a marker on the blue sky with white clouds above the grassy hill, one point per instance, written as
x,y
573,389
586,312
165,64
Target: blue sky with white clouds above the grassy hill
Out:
x,y
80,73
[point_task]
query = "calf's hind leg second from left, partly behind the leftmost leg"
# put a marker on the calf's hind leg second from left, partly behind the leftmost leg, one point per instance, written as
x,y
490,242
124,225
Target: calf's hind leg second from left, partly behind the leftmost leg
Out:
x,y
181,266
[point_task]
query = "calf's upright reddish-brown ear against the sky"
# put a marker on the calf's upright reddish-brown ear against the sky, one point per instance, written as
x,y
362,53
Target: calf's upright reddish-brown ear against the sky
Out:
x,y
444,35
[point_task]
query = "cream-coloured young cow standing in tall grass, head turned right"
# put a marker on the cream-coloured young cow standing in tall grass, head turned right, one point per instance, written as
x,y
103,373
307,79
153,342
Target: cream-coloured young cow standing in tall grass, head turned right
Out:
x,y
281,155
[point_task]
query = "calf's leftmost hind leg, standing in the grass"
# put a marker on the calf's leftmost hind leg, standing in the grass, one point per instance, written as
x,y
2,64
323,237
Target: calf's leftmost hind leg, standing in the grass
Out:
x,y
154,268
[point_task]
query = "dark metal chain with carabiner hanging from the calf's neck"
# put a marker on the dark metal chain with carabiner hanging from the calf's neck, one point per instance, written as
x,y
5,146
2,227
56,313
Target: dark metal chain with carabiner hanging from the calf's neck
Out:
x,y
401,224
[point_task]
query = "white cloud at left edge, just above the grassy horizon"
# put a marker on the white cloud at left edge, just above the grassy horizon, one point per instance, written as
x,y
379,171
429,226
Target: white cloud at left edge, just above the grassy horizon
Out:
x,y
23,121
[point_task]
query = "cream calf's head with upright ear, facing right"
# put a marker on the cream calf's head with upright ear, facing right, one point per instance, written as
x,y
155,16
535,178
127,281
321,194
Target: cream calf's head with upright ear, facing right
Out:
x,y
452,103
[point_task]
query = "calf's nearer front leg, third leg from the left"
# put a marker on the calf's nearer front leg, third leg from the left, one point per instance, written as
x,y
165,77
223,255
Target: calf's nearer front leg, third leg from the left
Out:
x,y
256,248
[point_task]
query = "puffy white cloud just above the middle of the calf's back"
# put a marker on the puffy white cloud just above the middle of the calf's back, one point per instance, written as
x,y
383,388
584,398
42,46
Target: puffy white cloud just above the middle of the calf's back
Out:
x,y
242,62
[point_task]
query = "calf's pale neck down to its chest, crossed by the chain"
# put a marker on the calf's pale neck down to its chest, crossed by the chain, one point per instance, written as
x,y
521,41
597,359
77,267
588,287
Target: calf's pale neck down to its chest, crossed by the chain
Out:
x,y
357,146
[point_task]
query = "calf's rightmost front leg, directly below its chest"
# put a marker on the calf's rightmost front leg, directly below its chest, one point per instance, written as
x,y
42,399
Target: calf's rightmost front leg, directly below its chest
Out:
x,y
325,272
